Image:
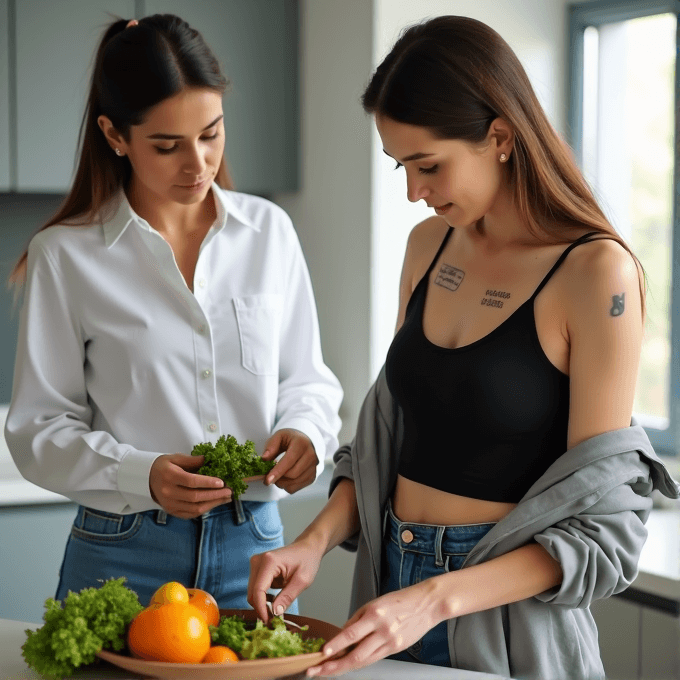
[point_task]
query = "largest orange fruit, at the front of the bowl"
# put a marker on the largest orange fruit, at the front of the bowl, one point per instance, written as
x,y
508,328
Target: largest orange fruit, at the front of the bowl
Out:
x,y
176,632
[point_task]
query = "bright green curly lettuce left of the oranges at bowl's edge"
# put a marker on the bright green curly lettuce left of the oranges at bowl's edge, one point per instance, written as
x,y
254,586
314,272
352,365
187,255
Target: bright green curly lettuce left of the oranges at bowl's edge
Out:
x,y
89,621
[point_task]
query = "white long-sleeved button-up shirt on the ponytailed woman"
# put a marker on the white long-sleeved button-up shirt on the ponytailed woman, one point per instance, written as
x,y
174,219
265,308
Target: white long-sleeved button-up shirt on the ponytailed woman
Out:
x,y
118,361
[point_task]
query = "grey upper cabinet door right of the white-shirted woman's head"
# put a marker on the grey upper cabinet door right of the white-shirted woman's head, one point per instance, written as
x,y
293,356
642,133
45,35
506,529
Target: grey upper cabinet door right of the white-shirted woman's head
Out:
x,y
255,42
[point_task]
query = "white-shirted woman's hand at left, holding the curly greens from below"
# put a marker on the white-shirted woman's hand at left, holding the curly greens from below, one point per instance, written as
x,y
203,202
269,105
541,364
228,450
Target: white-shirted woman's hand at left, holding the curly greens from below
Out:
x,y
180,492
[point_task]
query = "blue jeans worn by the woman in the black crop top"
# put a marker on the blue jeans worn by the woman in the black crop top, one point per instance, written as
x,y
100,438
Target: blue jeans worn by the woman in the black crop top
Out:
x,y
413,552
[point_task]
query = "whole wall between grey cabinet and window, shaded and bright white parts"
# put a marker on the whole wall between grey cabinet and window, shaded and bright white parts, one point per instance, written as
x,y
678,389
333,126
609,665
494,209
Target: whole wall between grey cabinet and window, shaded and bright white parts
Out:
x,y
352,213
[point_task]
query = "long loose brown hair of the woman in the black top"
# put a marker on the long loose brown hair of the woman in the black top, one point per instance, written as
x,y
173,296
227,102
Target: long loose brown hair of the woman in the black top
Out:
x,y
455,75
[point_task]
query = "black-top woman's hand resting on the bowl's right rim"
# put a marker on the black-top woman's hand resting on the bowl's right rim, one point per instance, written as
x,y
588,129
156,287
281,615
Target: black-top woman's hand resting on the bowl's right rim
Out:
x,y
384,626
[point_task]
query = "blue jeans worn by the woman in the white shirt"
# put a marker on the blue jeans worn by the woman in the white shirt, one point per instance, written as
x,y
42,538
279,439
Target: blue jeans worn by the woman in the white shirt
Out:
x,y
211,552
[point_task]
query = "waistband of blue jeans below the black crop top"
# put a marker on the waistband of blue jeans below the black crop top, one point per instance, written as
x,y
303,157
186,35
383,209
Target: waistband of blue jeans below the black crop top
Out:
x,y
433,539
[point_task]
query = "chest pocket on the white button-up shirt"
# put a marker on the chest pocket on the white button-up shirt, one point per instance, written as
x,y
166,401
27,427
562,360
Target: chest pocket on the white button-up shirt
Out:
x,y
259,320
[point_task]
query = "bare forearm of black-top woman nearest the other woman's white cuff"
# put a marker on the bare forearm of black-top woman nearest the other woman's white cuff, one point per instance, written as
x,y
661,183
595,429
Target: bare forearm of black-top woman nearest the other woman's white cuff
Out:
x,y
337,521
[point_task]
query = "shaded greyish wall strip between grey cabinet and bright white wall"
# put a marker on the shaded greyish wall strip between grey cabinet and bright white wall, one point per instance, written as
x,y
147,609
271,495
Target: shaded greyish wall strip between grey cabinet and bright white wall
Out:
x,y
332,211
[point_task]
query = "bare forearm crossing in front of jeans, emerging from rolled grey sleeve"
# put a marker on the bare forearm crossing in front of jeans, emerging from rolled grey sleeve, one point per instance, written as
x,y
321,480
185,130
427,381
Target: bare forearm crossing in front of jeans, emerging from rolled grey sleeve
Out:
x,y
512,577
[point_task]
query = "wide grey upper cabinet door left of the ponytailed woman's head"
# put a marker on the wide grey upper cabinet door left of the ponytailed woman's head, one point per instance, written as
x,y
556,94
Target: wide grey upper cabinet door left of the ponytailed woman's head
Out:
x,y
55,45
